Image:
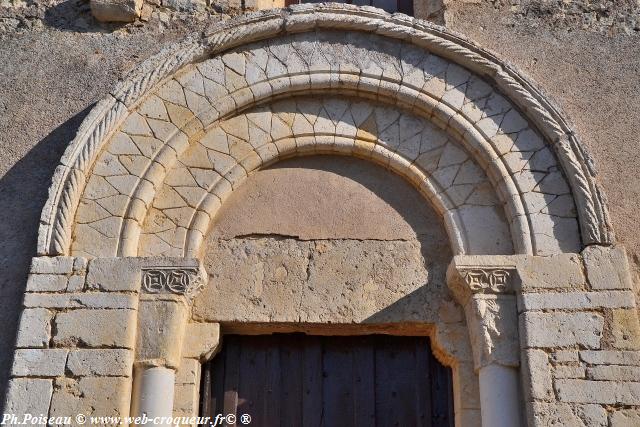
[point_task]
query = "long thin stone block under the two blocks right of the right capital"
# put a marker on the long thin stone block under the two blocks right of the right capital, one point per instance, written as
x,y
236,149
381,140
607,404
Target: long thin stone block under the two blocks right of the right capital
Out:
x,y
576,300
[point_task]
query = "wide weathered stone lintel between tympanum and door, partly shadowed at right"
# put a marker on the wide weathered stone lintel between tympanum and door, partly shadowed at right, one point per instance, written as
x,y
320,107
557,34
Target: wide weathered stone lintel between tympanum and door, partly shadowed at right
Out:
x,y
278,279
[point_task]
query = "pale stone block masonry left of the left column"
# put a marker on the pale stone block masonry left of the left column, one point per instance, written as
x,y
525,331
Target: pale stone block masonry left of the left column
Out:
x,y
76,337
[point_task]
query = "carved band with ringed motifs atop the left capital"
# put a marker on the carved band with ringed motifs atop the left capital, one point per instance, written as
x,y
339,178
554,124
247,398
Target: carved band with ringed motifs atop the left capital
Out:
x,y
180,281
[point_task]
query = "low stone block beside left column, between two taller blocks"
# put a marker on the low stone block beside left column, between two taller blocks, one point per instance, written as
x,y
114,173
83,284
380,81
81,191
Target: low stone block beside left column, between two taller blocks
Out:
x,y
100,362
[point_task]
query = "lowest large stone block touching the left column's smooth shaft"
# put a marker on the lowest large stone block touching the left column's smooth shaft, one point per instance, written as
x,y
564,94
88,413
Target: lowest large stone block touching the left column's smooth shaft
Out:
x,y
101,396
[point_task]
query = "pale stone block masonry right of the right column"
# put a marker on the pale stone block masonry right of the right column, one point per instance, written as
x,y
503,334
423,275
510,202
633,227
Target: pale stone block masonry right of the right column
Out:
x,y
579,337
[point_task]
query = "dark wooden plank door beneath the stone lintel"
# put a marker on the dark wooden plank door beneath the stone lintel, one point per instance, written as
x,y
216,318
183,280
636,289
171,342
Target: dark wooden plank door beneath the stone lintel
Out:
x,y
314,381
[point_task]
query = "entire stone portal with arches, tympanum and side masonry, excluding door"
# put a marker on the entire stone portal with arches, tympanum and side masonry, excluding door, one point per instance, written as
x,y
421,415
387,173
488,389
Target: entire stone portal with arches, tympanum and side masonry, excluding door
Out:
x,y
179,213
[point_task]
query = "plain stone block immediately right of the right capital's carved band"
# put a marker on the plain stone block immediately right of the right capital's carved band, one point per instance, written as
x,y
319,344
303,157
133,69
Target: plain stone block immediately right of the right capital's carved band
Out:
x,y
549,272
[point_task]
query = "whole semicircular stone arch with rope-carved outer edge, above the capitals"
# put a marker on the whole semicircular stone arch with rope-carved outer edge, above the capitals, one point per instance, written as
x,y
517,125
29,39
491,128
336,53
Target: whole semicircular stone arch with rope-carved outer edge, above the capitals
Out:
x,y
131,150
